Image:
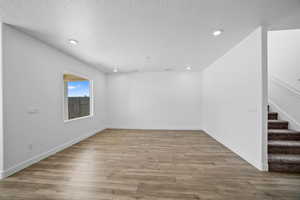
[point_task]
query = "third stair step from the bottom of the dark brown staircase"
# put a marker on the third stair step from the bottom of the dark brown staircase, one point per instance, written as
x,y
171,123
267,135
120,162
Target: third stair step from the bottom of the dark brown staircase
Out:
x,y
283,134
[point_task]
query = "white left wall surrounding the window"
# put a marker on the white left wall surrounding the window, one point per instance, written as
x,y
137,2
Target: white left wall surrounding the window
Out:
x,y
33,79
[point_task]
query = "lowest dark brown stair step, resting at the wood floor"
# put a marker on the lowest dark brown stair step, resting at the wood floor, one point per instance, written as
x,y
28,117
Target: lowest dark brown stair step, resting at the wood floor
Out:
x,y
284,163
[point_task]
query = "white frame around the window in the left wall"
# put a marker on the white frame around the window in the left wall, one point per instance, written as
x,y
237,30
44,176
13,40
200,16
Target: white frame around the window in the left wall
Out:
x,y
91,90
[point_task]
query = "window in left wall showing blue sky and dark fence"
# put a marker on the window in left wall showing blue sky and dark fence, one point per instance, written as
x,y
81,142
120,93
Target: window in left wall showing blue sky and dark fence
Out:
x,y
77,97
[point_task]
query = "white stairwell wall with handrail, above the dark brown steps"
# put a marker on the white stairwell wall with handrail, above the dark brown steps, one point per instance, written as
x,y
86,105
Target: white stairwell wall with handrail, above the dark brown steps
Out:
x,y
284,72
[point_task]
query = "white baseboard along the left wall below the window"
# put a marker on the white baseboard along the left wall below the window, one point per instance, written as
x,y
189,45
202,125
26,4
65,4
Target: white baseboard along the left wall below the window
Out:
x,y
37,158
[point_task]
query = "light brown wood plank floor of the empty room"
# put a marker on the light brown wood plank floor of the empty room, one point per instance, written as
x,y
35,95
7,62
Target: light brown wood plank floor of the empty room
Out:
x,y
135,164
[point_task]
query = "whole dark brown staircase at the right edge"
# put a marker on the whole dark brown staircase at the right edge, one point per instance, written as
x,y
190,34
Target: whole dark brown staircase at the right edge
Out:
x,y
283,146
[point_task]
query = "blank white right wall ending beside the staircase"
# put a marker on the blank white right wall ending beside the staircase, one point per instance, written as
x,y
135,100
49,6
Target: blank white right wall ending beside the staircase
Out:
x,y
234,99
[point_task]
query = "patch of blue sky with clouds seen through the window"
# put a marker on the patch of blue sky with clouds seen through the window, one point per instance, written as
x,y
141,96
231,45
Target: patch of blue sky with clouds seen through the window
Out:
x,y
78,88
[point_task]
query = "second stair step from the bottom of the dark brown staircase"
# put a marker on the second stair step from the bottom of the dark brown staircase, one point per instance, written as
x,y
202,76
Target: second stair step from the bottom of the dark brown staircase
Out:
x,y
284,147
